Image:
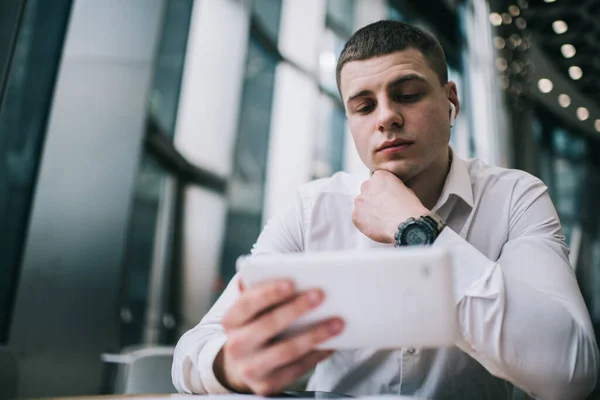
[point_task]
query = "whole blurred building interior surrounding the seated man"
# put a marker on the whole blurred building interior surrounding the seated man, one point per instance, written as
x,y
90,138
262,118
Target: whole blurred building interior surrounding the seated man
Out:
x,y
144,143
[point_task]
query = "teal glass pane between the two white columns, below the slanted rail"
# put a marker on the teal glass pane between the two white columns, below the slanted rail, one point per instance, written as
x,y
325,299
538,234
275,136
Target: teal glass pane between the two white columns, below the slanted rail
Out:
x,y
246,186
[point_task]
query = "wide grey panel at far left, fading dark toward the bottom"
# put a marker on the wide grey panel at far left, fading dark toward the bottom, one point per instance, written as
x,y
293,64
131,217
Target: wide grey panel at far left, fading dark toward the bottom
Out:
x,y
65,309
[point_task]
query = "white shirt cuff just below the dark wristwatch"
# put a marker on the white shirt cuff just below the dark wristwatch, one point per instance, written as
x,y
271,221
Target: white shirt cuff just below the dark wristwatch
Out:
x,y
469,265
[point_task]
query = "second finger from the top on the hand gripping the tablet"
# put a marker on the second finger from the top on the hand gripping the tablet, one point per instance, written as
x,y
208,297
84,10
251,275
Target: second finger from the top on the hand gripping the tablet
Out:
x,y
274,322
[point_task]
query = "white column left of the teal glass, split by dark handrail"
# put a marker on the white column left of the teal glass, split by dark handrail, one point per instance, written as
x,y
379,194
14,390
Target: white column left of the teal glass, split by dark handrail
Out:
x,y
206,130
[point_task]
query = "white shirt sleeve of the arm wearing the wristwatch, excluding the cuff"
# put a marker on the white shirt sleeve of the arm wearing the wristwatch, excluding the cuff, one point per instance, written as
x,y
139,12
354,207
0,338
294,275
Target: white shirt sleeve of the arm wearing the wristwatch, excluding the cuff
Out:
x,y
523,317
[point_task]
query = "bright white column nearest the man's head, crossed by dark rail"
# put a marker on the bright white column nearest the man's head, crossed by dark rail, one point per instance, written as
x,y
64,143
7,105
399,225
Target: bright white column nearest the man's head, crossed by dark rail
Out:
x,y
295,103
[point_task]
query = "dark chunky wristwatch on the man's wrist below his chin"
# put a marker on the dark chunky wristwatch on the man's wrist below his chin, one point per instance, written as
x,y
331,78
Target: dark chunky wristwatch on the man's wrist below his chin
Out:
x,y
421,231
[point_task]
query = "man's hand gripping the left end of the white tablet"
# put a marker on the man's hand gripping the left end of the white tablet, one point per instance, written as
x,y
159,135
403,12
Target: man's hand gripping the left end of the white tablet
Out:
x,y
255,357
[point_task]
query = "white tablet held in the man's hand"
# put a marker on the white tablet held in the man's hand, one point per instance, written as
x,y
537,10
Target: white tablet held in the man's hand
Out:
x,y
389,298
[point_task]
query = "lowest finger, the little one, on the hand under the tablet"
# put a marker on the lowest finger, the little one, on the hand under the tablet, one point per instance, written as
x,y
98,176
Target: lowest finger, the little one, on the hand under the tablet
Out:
x,y
288,374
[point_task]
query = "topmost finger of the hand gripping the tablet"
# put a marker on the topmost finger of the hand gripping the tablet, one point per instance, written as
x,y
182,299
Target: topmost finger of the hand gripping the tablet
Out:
x,y
254,301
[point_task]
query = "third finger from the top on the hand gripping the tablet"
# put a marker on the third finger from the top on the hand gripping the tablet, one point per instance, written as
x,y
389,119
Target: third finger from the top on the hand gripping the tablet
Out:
x,y
294,348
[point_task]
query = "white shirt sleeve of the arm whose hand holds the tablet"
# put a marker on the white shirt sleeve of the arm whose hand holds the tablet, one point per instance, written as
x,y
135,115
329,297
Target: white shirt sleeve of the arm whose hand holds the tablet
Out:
x,y
192,370
